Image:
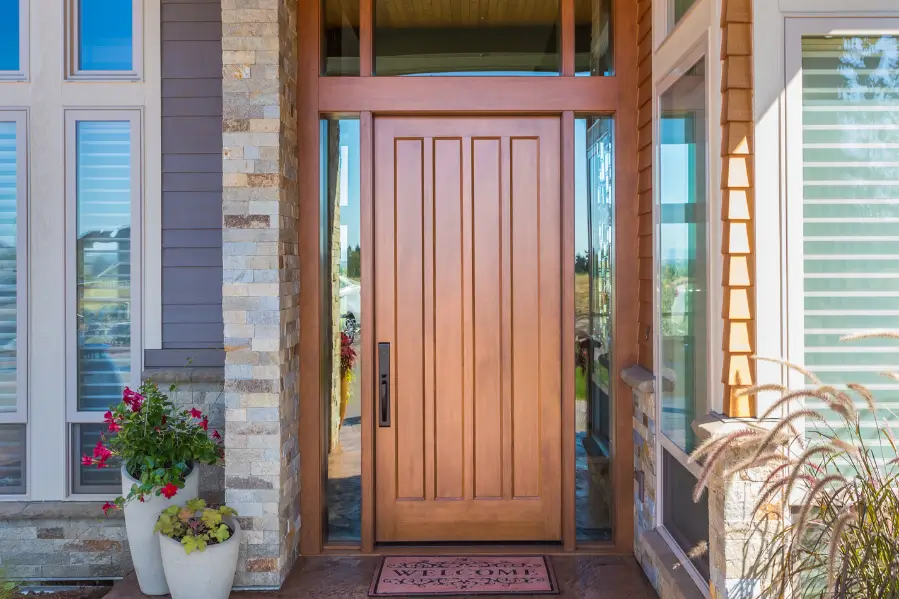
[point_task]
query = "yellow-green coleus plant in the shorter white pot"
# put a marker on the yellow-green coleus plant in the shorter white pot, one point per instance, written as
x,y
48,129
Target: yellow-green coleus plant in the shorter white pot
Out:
x,y
194,525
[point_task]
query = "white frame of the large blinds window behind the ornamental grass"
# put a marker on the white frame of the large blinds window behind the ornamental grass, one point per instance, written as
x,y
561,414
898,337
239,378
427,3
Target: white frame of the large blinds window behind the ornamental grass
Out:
x,y
795,30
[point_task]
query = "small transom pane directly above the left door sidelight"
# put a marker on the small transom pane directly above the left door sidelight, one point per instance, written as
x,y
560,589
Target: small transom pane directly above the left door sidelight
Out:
x,y
340,37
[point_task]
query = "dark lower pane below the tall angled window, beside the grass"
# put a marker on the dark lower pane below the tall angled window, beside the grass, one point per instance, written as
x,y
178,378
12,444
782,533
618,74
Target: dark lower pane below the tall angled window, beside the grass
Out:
x,y
685,520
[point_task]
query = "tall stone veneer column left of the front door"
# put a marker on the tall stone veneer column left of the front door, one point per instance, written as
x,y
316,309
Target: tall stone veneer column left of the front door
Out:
x,y
261,283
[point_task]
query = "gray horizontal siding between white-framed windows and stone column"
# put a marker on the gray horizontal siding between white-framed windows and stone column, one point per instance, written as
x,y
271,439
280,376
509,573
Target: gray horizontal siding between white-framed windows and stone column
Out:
x,y
192,328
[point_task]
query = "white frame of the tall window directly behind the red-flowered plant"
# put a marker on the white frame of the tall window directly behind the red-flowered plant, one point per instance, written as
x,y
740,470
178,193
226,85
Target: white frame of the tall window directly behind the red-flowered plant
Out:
x,y
73,414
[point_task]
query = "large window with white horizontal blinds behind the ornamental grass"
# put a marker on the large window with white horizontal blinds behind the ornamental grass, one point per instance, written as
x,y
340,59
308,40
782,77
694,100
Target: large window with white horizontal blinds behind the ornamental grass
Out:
x,y
850,209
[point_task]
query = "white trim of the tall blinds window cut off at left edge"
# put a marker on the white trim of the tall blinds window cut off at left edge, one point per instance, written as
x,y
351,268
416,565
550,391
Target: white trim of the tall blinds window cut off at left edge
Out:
x,y
20,118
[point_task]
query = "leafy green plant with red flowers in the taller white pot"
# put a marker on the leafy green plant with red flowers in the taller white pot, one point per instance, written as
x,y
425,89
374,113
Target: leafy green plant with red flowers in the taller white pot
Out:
x,y
157,443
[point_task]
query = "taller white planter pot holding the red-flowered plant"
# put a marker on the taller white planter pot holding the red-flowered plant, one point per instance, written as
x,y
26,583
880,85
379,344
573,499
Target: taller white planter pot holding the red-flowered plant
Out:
x,y
140,518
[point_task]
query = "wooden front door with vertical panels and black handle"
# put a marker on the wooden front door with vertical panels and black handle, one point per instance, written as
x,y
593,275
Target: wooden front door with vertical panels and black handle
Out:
x,y
468,329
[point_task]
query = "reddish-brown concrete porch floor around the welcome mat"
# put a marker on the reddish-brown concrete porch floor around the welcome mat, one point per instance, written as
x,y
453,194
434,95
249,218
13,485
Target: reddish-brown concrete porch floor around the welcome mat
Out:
x,y
579,577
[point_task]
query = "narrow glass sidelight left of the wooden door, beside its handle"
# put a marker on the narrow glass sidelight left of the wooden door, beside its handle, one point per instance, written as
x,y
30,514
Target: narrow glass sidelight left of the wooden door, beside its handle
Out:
x,y
341,211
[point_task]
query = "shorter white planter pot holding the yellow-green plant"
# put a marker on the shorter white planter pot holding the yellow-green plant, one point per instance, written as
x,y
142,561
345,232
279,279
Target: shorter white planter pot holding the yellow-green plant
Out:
x,y
208,574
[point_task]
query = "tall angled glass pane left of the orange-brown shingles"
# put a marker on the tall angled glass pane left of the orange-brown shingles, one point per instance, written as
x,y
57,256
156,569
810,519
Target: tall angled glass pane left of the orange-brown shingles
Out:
x,y
683,254
